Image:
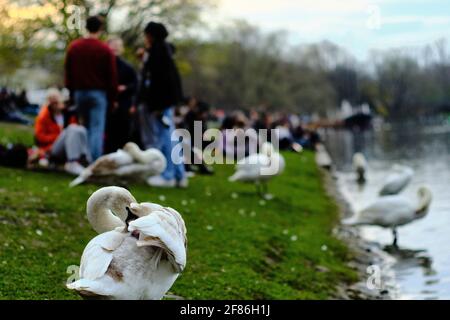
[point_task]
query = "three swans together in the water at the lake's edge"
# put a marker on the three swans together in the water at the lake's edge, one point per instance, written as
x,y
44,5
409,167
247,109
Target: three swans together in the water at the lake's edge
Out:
x,y
391,210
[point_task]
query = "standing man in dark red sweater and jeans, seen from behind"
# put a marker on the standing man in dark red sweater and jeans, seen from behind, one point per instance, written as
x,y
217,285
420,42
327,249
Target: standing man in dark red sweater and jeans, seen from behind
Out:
x,y
91,77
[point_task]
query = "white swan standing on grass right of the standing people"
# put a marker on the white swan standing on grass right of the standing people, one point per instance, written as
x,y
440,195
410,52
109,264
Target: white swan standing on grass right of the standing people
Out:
x,y
259,168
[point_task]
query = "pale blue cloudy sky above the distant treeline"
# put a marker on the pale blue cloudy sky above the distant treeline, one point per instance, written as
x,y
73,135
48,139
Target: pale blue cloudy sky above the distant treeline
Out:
x,y
357,25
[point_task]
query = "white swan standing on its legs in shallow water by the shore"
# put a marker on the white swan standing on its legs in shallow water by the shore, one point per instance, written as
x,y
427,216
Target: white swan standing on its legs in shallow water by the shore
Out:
x,y
393,211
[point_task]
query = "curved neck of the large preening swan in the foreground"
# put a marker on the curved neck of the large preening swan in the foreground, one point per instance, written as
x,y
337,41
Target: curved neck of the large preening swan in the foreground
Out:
x,y
100,206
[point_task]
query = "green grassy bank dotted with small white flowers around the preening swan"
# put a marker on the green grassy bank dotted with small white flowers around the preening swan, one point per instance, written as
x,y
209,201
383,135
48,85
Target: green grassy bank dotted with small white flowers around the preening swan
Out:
x,y
239,247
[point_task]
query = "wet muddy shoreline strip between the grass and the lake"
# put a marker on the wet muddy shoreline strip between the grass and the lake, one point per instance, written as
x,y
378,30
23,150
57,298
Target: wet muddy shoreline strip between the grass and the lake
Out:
x,y
364,255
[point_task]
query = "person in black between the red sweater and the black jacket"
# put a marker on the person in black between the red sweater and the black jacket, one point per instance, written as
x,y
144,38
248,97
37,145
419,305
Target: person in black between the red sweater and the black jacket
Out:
x,y
118,125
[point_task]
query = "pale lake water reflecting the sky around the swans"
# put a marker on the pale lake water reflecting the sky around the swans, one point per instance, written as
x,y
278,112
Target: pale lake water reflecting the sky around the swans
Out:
x,y
423,262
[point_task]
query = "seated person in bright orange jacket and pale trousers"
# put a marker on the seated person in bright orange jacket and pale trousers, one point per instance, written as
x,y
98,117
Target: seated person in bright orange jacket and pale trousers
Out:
x,y
58,140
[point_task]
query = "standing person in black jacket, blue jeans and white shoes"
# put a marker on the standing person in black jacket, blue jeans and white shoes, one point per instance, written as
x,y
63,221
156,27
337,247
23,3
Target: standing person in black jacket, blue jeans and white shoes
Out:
x,y
160,90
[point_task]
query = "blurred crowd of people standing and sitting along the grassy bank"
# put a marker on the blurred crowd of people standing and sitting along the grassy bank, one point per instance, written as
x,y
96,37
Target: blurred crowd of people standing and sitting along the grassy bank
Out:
x,y
110,104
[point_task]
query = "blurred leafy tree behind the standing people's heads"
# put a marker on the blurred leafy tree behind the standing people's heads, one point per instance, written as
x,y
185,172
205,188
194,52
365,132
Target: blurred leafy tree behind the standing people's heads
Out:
x,y
36,32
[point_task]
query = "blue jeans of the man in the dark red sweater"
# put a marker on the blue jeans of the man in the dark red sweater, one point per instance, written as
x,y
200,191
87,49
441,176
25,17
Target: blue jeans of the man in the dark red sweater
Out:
x,y
92,106
